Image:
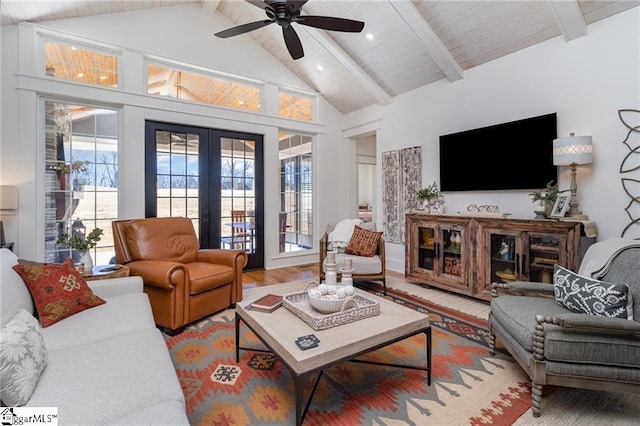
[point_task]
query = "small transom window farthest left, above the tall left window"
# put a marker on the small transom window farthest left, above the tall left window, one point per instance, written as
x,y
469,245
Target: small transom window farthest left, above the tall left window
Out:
x,y
72,62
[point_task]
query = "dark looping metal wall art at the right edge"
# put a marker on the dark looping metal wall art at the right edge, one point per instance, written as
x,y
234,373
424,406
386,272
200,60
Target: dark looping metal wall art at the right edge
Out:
x,y
631,163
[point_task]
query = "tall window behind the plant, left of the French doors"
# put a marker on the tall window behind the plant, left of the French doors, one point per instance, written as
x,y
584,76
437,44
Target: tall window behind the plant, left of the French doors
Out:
x,y
81,177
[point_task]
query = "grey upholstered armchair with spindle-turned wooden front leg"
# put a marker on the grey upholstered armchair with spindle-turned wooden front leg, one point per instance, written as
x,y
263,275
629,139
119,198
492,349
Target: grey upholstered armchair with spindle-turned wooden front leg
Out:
x,y
583,331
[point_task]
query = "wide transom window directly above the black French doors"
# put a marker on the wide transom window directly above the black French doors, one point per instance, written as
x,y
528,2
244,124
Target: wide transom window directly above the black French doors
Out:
x,y
202,88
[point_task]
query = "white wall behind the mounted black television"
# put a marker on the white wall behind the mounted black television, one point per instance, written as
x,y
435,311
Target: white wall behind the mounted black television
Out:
x,y
585,81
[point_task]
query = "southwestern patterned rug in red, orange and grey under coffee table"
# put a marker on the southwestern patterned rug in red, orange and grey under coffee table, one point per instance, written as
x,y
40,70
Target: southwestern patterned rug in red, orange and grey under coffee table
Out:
x,y
468,385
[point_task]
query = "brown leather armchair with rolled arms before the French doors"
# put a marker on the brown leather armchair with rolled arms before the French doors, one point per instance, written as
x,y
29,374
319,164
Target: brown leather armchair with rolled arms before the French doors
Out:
x,y
184,283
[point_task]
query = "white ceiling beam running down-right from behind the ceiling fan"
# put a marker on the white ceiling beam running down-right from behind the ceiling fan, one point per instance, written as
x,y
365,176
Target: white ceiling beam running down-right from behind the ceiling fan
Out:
x,y
348,63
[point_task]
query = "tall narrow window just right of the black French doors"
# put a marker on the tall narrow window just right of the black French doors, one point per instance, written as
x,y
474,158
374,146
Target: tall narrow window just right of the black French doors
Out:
x,y
296,192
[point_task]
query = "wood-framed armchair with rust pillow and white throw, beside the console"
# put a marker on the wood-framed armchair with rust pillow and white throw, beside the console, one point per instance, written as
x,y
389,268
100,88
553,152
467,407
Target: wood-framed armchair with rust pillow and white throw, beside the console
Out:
x,y
365,268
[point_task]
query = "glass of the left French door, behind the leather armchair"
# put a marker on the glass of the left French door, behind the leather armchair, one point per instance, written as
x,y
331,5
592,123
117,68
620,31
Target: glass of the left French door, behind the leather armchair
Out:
x,y
177,175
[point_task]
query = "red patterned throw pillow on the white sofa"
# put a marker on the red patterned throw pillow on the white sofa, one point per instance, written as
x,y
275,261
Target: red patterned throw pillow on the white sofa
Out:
x,y
58,290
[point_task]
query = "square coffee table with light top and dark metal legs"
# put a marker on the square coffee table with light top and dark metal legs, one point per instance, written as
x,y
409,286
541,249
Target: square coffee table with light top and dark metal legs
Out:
x,y
279,330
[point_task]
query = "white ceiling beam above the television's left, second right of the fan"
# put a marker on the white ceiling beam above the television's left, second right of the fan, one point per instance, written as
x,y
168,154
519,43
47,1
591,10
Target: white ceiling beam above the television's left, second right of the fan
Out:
x,y
428,38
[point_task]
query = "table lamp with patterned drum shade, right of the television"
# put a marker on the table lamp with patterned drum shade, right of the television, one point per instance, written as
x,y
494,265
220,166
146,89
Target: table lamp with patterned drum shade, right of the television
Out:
x,y
572,151
